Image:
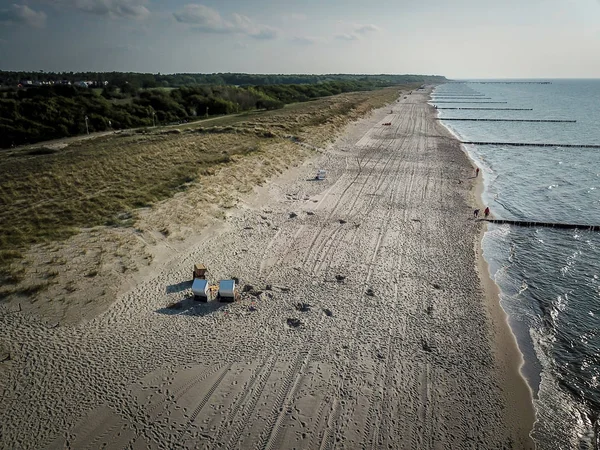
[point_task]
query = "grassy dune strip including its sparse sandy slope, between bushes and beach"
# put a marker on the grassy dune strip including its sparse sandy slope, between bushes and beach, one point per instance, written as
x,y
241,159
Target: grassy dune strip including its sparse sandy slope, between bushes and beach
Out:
x,y
116,195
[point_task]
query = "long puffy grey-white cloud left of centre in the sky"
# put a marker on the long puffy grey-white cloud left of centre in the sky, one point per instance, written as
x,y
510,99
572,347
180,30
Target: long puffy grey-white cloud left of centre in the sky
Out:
x,y
207,20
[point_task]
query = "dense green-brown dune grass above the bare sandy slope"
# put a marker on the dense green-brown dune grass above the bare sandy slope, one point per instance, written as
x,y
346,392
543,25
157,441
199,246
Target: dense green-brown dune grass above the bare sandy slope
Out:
x,y
48,193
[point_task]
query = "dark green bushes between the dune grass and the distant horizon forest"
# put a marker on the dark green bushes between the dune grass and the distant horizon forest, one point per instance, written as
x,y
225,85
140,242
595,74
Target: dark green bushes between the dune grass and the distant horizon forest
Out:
x,y
49,112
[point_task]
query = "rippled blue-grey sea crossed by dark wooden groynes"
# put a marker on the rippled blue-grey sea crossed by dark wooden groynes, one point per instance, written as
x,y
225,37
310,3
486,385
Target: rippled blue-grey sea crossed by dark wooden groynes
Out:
x,y
549,278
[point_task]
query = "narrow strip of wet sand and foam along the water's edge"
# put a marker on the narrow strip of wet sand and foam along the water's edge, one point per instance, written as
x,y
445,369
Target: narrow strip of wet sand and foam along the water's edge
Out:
x,y
506,348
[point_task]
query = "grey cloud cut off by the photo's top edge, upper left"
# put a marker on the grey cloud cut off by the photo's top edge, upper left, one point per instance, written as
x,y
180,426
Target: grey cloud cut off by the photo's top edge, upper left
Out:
x,y
127,9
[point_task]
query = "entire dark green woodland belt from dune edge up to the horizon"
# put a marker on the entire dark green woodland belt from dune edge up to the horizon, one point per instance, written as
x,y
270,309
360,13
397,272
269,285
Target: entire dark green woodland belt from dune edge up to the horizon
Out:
x,y
32,114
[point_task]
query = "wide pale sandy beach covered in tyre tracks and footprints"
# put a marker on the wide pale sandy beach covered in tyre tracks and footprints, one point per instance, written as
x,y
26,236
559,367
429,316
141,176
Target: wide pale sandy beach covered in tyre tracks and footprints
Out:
x,y
369,321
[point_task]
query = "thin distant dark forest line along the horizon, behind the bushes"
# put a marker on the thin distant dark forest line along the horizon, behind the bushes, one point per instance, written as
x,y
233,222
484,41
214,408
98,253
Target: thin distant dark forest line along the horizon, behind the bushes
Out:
x,y
148,80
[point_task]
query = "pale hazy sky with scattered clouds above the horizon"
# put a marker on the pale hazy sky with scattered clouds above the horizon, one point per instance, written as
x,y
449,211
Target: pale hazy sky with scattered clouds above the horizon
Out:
x,y
458,38
